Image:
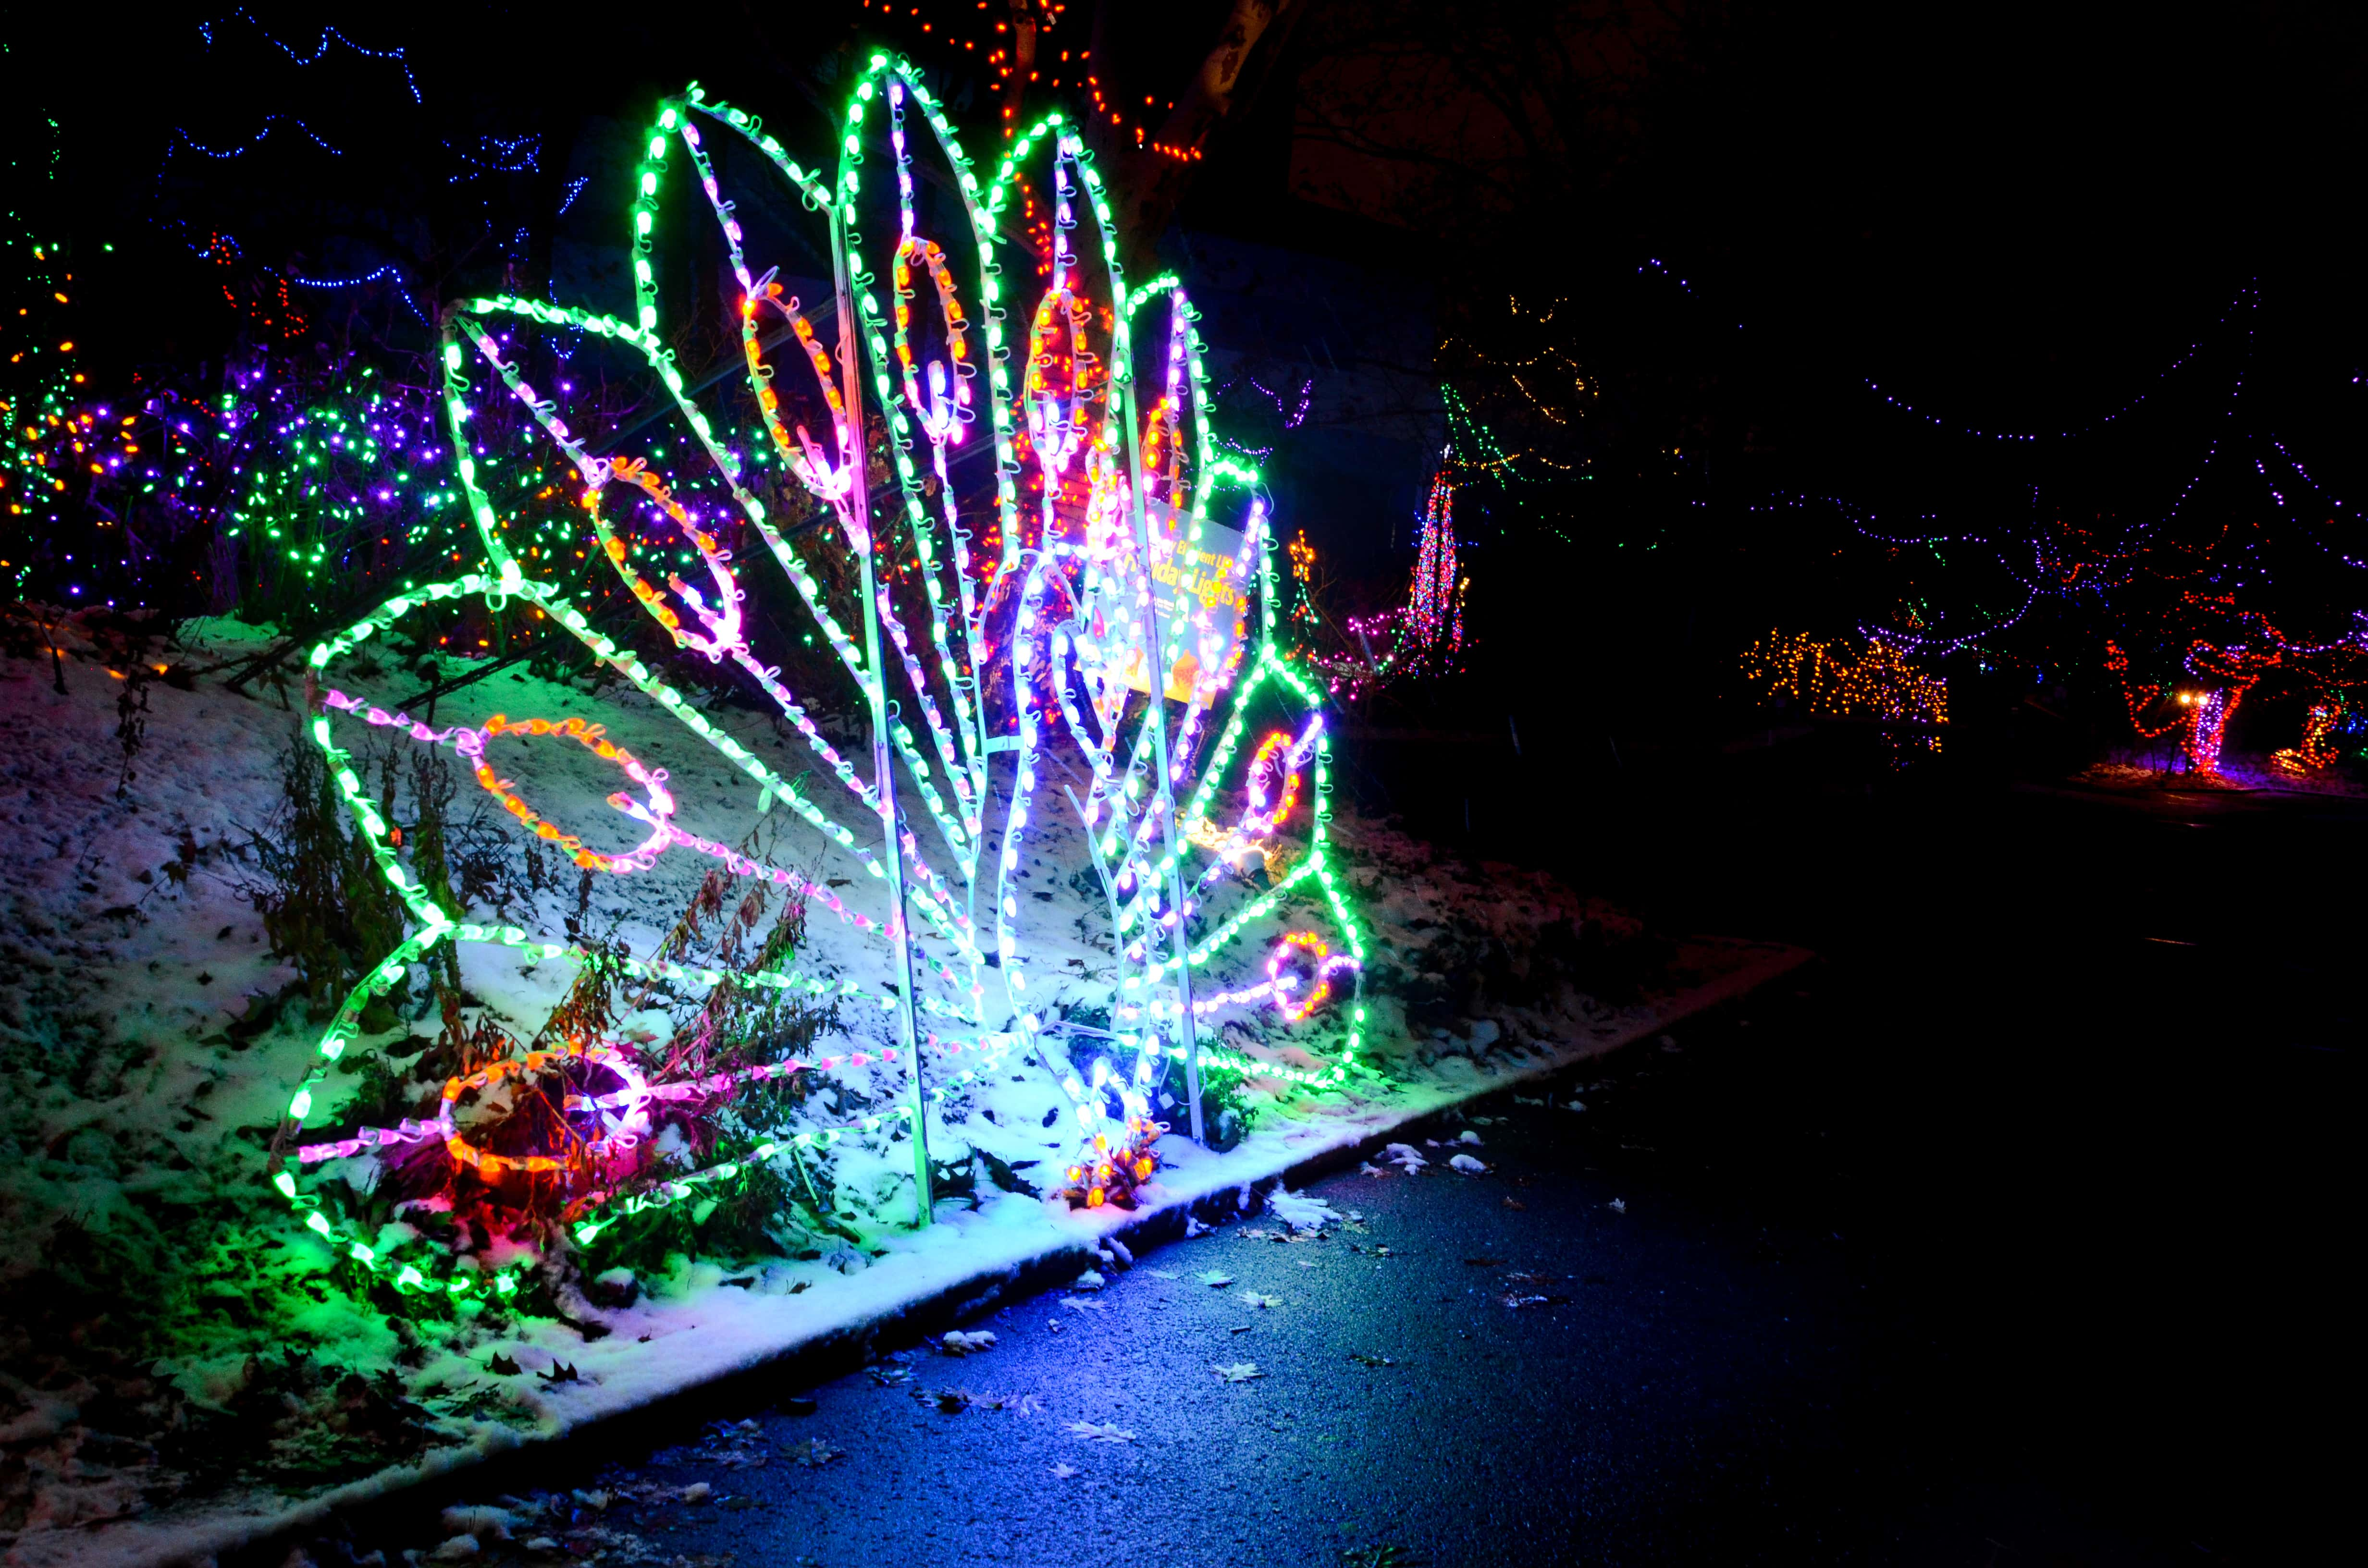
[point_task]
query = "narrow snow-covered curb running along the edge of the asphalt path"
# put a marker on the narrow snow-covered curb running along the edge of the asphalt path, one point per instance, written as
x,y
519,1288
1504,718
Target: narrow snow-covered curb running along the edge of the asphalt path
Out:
x,y
877,1304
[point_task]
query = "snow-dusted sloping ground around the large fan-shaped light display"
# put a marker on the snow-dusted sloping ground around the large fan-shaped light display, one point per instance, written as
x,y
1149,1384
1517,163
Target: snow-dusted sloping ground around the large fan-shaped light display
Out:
x,y
181,1375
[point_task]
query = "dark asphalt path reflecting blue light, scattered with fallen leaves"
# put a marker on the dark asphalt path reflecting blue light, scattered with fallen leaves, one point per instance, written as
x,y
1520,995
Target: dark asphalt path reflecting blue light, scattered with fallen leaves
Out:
x,y
2014,1233
